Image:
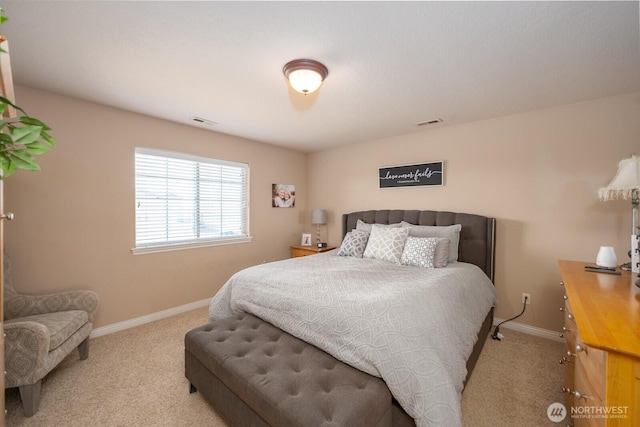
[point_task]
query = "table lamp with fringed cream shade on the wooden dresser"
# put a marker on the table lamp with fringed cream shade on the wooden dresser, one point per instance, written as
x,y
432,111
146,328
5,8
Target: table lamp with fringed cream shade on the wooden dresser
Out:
x,y
626,185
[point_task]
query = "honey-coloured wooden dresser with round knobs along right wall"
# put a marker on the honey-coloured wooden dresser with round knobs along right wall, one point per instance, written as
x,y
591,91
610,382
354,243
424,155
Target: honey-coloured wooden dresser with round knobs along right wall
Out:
x,y
602,332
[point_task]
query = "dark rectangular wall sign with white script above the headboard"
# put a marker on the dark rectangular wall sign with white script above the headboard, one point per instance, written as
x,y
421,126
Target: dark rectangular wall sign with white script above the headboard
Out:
x,y
424,174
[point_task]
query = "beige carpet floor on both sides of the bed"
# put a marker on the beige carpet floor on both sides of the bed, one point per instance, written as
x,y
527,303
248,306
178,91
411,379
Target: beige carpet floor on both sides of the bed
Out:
x,y
136,378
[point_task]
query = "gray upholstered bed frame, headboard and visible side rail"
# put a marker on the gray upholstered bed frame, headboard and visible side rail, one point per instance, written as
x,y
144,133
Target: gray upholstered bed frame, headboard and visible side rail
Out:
x,y
477,246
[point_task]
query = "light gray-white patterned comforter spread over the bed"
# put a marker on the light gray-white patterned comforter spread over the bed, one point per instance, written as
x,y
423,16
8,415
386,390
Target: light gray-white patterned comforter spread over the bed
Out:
x,y
413,327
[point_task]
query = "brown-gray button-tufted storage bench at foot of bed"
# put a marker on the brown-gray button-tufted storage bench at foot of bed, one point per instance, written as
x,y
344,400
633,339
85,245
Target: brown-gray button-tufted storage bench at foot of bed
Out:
x,y
254,374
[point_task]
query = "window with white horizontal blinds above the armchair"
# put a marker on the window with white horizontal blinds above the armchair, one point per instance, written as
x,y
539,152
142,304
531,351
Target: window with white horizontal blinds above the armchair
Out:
x,y
185,201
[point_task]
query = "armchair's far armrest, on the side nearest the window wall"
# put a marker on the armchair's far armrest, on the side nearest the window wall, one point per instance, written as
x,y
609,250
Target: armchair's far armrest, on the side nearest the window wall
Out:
x,y
22,305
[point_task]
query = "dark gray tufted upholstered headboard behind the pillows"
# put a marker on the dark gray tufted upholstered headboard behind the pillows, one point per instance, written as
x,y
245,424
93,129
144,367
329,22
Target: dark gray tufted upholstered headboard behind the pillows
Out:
x,y
477,237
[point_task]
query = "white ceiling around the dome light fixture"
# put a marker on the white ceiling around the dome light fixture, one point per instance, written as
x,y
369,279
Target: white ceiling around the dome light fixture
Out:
x,y
391,64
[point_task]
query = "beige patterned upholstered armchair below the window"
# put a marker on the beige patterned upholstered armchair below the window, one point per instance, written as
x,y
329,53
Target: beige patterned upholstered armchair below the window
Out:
x,y
40,331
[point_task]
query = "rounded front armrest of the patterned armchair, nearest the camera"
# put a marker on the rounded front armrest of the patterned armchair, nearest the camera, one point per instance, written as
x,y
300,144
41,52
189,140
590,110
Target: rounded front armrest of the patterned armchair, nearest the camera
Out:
x,y
26,347
